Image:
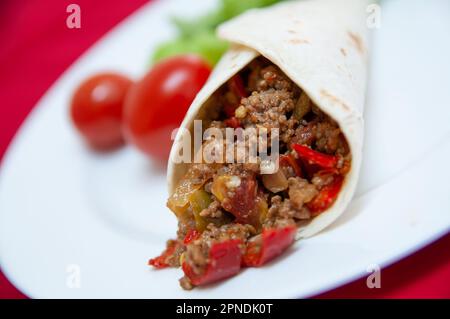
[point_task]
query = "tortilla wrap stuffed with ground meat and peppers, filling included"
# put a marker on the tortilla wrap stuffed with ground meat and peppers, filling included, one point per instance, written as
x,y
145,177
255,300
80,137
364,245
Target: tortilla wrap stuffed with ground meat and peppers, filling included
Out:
x,y
270,149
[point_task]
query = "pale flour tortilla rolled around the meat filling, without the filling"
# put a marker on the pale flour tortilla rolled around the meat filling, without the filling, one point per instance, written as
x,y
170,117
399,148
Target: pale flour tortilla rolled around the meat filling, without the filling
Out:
x,y
321,45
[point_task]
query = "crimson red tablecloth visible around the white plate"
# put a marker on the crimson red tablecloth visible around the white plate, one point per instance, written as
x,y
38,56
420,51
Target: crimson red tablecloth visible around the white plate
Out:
x,y
36,47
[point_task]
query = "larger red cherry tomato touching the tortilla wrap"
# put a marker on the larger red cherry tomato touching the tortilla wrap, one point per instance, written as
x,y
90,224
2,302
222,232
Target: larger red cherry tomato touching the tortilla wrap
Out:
x,y
157,104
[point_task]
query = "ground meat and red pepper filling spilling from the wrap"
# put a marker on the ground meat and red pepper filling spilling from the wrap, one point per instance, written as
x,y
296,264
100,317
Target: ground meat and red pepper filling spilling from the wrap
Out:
x,y
234,205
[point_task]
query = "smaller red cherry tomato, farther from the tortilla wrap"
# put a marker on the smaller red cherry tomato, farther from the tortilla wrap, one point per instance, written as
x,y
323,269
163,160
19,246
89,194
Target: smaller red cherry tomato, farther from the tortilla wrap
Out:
x,y
96,109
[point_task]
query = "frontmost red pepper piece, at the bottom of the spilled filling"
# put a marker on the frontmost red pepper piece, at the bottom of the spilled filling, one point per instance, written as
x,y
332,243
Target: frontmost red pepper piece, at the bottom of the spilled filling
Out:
x,y
224,261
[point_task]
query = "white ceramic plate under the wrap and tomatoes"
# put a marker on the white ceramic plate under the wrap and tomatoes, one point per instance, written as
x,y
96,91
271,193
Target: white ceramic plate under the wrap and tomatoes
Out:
x,y
66,211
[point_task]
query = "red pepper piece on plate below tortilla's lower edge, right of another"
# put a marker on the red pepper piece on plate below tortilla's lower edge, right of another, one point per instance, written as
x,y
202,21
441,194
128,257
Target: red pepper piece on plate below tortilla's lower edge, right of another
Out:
x,y
272,243
